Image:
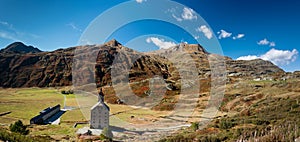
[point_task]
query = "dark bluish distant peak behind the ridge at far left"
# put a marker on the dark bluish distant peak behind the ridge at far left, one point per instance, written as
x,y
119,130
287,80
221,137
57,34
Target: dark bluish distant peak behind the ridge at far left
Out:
x,y
19,47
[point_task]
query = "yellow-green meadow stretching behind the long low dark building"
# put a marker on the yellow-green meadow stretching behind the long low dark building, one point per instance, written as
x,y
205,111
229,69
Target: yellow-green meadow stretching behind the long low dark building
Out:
x,y
26,103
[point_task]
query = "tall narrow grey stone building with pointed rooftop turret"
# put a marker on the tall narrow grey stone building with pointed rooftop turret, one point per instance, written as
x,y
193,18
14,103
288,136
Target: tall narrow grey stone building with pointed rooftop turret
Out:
x,y
99,113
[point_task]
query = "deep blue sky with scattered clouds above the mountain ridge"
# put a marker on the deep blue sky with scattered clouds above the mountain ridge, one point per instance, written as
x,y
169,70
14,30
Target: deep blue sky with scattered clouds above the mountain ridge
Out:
x,y
245,29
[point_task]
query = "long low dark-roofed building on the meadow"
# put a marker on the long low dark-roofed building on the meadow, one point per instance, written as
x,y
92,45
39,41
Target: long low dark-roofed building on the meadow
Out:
x,y
45,115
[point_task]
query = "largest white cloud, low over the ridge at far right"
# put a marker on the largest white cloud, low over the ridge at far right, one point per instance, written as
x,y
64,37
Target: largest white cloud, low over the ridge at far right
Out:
x,y
278,57
